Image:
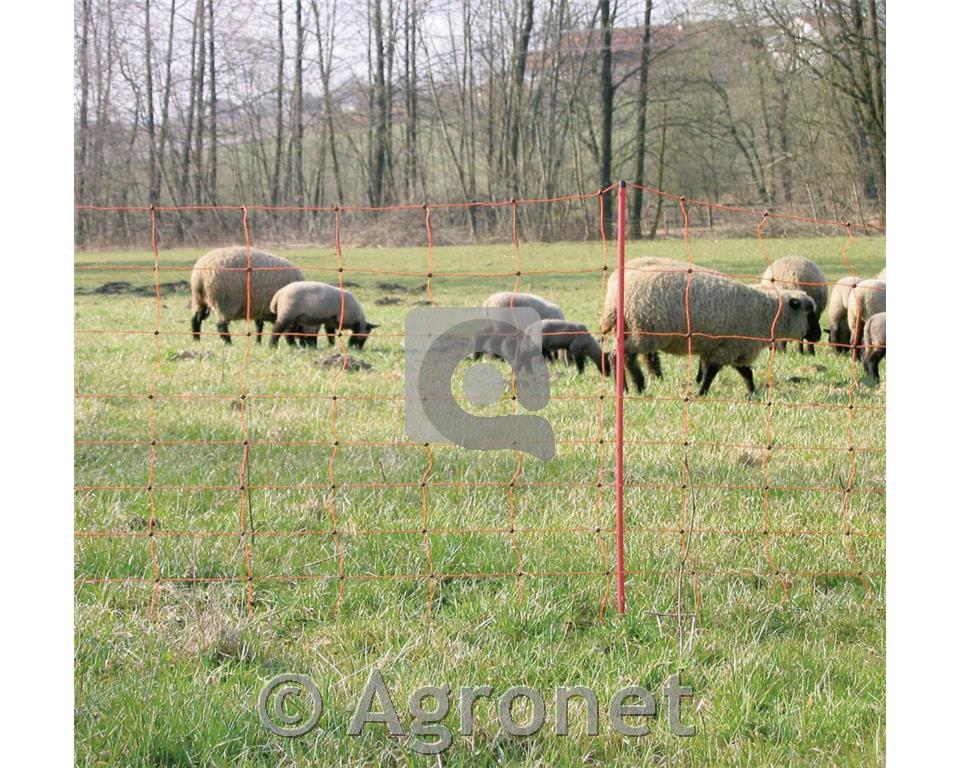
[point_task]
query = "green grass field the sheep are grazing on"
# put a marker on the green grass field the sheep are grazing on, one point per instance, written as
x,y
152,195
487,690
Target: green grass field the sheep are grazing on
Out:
x,y
761,519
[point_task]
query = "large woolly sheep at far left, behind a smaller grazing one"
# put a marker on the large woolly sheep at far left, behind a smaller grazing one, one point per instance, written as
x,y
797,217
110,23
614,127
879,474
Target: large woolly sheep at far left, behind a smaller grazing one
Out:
x,y
219,282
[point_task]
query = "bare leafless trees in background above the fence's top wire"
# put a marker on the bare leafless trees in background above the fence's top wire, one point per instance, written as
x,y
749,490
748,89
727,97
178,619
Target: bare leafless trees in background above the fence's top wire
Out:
x,y
311,103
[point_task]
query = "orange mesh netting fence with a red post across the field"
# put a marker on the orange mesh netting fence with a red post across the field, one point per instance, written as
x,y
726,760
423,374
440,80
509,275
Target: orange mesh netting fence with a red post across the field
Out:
x,y
257,467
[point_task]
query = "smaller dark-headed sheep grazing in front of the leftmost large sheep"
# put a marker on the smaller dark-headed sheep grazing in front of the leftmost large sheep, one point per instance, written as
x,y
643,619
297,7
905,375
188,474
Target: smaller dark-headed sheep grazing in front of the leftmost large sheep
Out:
x,y
309,305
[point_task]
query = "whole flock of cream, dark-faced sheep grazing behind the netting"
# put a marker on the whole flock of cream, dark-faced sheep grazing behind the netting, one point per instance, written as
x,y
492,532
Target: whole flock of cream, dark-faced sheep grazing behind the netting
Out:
x,y
670,306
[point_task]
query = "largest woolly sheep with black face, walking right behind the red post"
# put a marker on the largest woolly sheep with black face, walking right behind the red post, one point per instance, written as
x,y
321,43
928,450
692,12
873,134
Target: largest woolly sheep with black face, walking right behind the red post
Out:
x,y
655,298
